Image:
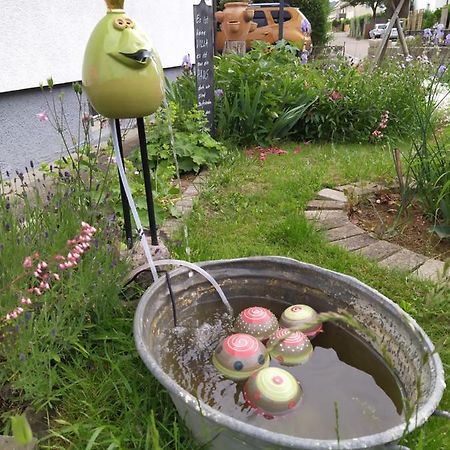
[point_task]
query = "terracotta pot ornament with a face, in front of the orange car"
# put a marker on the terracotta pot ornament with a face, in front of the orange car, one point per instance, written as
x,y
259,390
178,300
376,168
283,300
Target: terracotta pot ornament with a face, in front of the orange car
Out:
x,y
236,21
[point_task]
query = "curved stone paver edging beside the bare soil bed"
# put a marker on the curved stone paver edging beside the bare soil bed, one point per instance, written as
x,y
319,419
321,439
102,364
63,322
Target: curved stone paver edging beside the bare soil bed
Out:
x,y
328,210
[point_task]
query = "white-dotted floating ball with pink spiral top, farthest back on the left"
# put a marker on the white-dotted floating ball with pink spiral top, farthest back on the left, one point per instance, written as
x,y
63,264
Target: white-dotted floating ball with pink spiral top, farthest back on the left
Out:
x,y
257,321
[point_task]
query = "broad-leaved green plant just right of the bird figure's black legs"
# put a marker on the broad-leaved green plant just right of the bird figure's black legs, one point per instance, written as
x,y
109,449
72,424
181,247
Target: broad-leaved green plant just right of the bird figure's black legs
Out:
x,y
192,143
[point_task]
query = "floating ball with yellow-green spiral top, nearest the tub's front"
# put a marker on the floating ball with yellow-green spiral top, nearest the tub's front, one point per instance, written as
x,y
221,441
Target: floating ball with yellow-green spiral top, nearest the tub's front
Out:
x,y
272,391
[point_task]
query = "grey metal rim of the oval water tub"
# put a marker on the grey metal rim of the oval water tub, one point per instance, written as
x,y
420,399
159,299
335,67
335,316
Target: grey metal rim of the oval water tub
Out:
x,y
388,436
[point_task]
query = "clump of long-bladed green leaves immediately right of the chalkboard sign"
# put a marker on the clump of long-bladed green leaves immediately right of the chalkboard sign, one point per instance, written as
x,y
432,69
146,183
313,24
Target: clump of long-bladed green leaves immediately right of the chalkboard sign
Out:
x,y
254,108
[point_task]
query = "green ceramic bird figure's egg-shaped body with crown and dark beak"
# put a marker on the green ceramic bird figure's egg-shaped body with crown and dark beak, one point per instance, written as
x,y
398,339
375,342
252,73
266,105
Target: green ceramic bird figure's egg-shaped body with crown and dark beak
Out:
x,y
122,73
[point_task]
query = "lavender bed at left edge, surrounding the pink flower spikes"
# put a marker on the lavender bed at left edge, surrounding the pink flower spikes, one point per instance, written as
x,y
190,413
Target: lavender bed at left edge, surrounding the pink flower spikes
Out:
x,y
35,346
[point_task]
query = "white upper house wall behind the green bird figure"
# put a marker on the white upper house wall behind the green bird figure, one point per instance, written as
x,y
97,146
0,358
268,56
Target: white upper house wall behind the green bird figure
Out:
x,y
47,38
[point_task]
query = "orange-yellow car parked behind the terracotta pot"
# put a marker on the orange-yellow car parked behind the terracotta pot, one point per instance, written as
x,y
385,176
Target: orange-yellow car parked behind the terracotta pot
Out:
x,y
296,27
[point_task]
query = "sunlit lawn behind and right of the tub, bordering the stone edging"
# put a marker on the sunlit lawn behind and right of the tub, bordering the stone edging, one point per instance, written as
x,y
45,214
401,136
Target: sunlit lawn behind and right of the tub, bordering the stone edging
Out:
x,y
256,208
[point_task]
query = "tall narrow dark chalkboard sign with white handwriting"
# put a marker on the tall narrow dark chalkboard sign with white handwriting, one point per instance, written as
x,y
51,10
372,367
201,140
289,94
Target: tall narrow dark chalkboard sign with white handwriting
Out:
x,y
204,64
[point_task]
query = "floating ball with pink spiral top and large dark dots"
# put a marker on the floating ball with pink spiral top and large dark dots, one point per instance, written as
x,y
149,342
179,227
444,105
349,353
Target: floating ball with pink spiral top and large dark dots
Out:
x,y
240,355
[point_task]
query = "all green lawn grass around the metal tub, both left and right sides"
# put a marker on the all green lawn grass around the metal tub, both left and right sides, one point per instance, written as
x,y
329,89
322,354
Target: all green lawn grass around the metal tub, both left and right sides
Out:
x,y
107,399
